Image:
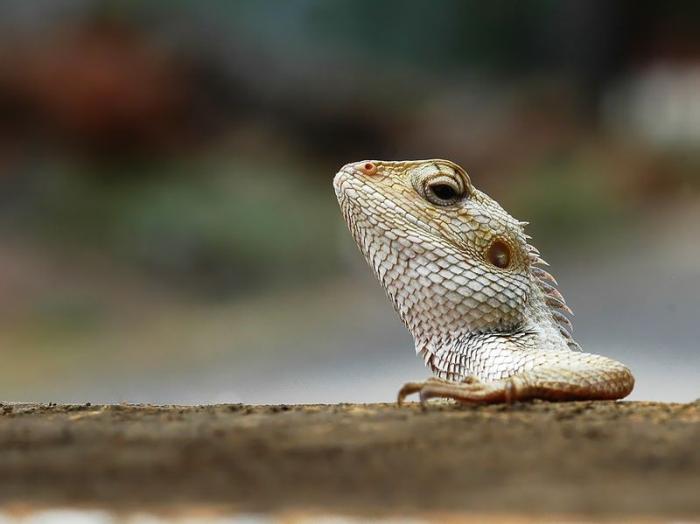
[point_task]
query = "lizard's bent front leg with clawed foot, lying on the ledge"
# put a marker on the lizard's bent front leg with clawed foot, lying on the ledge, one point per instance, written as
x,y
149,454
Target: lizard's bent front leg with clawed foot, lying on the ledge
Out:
x,y
567,376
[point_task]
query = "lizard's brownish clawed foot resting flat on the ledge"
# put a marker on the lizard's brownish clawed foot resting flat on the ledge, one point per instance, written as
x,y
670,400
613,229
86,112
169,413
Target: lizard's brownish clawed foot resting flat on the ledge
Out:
x,y
469,391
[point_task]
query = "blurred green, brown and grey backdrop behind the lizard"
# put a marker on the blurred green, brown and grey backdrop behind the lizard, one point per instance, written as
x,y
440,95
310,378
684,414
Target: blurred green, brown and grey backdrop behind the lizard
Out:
x,y
168,229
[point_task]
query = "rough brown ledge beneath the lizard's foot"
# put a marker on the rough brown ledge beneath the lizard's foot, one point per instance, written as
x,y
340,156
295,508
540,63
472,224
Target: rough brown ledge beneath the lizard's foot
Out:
x,y
585,458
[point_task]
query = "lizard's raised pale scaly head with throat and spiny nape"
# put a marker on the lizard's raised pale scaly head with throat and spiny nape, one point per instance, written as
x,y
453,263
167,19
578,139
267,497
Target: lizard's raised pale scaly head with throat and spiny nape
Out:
x,y
451,259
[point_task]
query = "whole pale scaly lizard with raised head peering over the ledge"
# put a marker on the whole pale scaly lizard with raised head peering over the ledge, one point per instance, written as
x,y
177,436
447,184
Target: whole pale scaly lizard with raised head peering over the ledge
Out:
x,y
485,315
